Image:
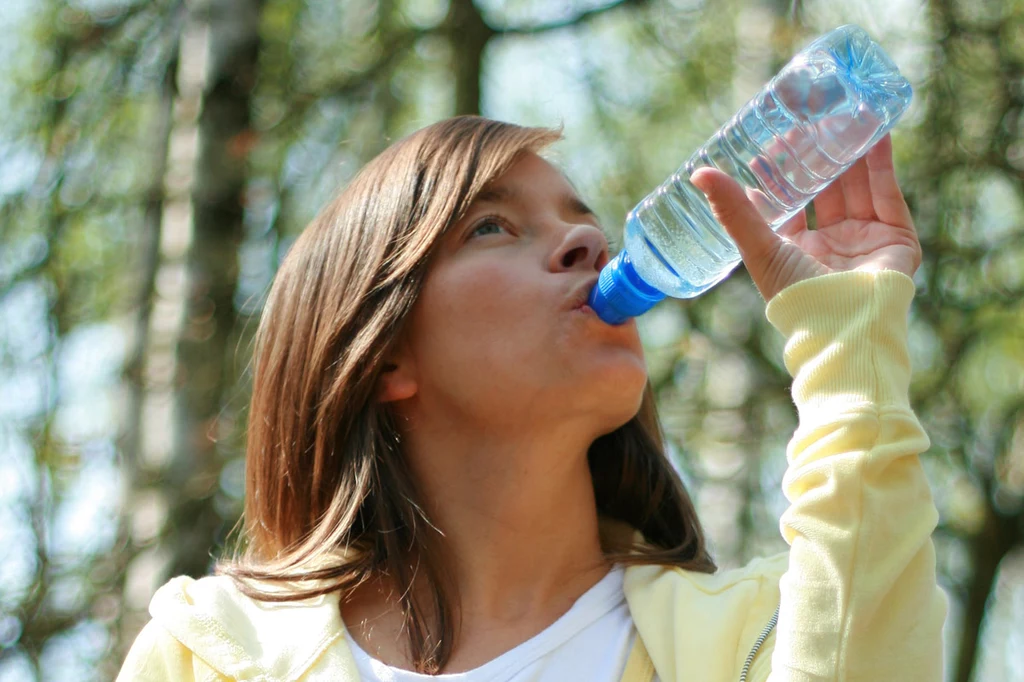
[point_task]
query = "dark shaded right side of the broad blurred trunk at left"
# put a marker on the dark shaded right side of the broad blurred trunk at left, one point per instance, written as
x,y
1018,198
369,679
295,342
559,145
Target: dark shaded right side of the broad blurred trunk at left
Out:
x,y
210,277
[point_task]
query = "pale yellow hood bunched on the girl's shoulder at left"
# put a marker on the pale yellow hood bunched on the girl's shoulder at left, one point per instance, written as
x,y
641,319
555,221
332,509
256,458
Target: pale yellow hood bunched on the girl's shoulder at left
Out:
x,y
245,640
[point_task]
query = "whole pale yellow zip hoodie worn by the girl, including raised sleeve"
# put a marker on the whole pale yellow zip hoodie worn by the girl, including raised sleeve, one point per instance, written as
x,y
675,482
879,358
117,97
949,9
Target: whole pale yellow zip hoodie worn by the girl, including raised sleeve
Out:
x,y
855,600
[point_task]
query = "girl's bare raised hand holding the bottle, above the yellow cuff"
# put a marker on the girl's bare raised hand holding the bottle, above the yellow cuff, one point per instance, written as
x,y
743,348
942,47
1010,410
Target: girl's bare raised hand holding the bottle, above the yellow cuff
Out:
x,y
864,225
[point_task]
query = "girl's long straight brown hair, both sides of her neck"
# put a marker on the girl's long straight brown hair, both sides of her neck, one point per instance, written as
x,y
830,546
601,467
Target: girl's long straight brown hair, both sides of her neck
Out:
x,y
328,496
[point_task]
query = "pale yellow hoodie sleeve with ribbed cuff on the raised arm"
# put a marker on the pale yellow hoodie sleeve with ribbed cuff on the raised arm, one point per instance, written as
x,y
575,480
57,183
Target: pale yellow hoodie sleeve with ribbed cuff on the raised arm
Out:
x,y
860,599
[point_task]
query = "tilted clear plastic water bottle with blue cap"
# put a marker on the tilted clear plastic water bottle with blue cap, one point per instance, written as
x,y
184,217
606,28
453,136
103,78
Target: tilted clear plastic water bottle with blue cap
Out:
x,y
827,108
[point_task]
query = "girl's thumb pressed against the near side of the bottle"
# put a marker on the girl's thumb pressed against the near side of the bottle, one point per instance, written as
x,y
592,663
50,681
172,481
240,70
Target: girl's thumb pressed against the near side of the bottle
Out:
x,y
736,212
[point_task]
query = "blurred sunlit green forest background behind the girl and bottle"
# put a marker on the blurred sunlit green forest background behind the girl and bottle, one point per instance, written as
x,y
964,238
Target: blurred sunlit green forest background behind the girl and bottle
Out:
x,y
158,158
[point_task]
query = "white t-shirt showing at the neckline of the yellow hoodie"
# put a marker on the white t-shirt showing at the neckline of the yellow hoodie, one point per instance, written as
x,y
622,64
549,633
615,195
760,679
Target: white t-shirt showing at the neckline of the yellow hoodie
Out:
x,y
591,642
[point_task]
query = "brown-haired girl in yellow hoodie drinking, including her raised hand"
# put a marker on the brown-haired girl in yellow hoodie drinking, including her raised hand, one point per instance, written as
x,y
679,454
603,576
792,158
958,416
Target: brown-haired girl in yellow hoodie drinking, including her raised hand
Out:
x,y
455,468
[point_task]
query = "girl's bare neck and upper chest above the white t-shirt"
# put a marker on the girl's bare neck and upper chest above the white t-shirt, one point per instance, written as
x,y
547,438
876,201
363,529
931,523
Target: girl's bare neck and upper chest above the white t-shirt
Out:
x,y
521,537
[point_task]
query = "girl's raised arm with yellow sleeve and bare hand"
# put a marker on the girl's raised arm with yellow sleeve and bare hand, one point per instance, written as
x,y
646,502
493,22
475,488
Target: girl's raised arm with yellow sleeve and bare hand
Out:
x,y
860,601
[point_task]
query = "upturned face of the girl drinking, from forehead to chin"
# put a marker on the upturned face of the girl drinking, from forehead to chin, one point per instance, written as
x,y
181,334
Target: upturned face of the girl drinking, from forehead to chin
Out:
x,y
500,336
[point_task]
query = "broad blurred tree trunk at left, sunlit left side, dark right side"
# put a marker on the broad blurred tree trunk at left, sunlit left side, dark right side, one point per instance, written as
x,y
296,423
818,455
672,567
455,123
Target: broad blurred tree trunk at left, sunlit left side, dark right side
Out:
x,y
187,369
